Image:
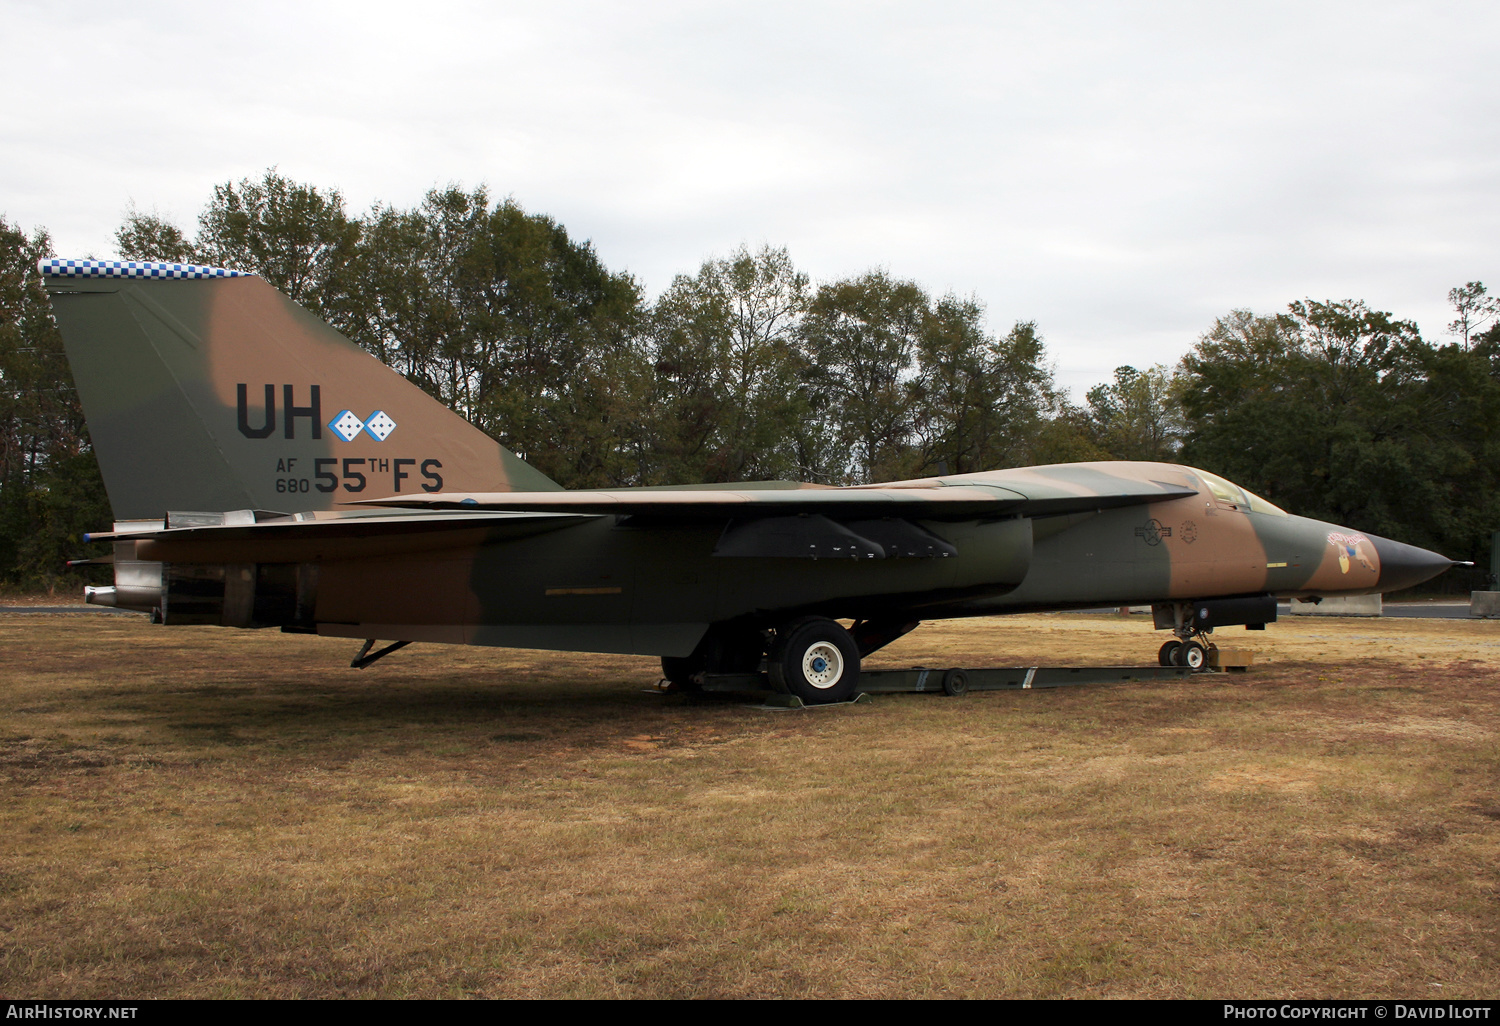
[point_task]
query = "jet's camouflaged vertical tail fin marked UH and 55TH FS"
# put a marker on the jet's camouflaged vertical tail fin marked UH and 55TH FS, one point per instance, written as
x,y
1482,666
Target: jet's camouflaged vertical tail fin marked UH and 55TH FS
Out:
x,y
206,389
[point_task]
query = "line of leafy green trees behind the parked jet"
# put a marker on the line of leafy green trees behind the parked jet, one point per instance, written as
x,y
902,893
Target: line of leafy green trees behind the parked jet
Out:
x,y
751,371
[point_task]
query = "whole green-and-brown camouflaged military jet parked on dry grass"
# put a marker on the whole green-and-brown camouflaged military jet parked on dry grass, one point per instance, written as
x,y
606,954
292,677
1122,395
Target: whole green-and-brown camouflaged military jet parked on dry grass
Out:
x,y
268,473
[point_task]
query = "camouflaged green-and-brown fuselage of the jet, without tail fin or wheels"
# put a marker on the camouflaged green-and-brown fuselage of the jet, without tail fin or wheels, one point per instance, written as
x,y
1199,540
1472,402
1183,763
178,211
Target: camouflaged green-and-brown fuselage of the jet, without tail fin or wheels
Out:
x,y
655,586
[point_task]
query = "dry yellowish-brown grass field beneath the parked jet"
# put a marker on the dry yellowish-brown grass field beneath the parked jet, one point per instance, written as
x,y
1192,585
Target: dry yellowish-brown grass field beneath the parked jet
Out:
x,y
214,814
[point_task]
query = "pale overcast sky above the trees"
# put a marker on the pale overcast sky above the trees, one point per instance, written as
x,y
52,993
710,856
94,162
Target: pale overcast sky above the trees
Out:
x,y
1121,173
